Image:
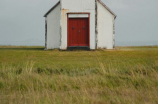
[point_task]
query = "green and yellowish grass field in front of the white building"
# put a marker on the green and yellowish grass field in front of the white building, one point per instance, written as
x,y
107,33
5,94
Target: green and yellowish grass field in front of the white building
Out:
x,y
126,75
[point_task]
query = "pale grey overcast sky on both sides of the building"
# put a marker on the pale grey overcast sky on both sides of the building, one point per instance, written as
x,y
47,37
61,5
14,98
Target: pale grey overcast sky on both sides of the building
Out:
x,y
22,21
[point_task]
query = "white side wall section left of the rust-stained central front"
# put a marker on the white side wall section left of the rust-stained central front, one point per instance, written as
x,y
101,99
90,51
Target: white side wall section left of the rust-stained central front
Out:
x,y
53,28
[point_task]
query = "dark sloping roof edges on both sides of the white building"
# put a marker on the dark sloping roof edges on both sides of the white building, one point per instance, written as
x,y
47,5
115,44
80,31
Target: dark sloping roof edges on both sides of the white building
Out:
x,y
97,0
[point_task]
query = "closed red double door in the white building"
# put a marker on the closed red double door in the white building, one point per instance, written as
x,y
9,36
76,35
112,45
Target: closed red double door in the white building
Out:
x,y
78,32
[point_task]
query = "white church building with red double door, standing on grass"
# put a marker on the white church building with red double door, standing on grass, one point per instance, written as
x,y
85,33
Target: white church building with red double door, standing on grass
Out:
x,y
80,24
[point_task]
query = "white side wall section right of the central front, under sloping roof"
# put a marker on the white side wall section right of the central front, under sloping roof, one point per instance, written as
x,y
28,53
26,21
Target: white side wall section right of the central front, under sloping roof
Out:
x,y
105,21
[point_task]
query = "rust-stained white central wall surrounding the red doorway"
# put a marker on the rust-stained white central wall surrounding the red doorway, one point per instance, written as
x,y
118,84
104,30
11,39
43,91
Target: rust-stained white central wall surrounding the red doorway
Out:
x,y
77,6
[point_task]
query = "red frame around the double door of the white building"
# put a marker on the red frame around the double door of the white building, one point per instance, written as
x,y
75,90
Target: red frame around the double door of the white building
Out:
x,y
68,43
